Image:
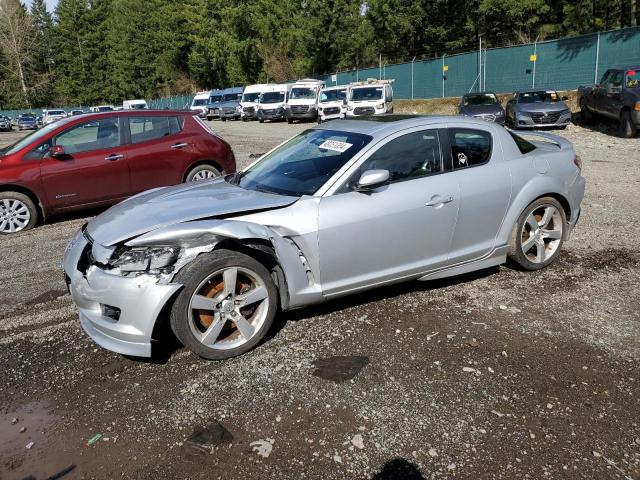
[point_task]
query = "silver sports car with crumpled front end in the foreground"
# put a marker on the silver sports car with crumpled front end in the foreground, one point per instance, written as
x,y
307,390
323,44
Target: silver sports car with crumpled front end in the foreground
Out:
x,y
341,208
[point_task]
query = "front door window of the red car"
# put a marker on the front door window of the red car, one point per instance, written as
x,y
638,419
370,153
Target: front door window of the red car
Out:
x,y
93,135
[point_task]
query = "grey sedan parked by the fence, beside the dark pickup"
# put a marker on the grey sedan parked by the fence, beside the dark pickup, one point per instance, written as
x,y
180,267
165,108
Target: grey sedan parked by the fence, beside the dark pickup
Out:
x,y
537,109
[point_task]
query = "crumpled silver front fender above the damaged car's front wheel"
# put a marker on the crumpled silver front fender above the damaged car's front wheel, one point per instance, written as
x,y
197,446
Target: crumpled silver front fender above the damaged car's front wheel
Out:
x,y
303,286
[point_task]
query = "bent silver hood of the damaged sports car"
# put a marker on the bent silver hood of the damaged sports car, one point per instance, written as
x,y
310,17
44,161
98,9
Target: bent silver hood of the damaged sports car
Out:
x,y
161,207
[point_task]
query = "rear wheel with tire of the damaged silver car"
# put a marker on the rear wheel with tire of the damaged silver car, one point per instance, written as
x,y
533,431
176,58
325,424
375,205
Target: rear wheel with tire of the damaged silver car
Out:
x,y
538,235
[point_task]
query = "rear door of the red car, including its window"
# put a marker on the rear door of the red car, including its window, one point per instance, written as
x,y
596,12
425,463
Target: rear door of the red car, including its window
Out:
x,y
159,151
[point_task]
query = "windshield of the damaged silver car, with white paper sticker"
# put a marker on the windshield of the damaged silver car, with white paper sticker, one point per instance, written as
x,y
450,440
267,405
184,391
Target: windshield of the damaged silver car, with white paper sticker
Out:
x,y
303,164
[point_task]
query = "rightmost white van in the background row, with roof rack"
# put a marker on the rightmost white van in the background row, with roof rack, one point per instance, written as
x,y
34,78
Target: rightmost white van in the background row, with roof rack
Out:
x,y
373,97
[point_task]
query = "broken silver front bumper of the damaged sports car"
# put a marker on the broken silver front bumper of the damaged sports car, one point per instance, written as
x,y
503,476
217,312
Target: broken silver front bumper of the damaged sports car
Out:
x,y
118,313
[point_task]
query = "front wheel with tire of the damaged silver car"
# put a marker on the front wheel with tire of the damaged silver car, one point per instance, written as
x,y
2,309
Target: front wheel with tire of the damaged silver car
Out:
x,y
227,305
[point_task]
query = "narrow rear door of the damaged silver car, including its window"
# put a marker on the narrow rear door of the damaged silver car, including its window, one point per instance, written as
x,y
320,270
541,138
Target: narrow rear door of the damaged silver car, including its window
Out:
x,y
484,181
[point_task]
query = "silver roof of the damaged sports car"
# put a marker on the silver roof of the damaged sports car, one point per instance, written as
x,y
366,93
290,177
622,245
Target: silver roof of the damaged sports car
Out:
x,y
383,125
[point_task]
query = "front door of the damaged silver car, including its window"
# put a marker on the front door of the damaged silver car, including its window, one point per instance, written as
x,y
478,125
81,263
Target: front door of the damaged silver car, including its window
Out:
x,y
397,230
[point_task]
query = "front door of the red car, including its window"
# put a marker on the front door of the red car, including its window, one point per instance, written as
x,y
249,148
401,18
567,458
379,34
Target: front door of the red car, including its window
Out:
x,y
93,168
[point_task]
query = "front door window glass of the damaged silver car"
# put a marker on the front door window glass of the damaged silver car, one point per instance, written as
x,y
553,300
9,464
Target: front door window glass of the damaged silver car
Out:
x,y
410,156
